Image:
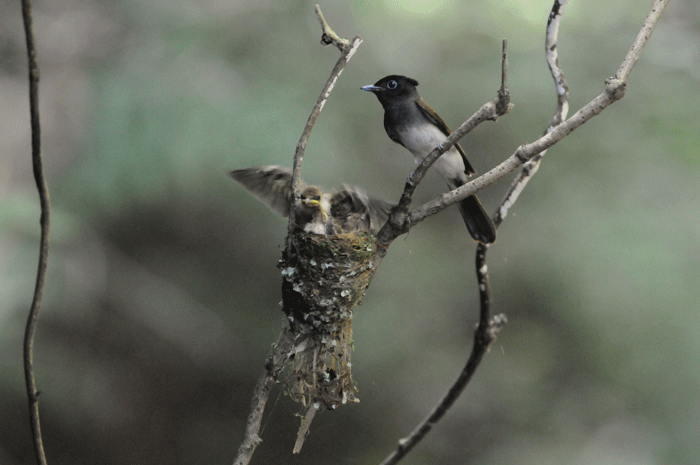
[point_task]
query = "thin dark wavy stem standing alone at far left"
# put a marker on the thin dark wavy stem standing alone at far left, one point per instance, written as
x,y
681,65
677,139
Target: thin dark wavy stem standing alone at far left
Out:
x,y
32,393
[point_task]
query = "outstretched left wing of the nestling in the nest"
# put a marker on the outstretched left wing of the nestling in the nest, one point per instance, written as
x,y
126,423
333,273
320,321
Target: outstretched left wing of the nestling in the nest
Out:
x,y
272,185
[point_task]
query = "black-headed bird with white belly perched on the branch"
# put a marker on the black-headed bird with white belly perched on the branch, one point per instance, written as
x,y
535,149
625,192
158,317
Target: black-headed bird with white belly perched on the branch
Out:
x,y
411,122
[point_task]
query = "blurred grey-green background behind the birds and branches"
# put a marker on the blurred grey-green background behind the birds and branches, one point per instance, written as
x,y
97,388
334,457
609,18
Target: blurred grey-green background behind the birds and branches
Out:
x,y
162,296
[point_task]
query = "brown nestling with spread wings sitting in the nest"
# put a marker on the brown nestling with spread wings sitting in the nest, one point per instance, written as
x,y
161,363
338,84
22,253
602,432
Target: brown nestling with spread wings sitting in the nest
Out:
x,y
347,210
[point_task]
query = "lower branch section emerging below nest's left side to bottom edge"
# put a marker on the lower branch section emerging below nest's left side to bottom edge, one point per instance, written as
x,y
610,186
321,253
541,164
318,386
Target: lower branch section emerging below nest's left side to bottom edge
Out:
x,y
273,366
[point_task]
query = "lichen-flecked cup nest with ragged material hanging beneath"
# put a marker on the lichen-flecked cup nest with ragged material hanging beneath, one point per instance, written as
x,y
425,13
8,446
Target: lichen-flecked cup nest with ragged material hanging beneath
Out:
x,y
325,277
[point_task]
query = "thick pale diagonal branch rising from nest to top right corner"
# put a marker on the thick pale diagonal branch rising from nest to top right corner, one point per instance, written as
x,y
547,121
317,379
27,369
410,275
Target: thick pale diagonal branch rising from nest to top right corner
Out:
x,y
614,90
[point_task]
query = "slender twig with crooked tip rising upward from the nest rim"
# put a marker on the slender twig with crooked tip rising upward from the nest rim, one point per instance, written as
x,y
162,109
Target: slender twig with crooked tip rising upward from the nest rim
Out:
x,y
348,49
